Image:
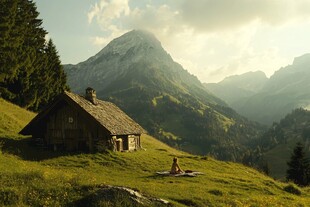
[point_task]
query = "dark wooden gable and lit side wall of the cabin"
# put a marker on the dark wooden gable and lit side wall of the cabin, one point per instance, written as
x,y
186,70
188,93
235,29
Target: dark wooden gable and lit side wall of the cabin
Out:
x,y
69,128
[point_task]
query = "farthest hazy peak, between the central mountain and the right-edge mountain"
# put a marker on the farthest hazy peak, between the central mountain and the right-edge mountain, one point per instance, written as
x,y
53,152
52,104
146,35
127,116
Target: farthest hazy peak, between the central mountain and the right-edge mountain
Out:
x,y
238,87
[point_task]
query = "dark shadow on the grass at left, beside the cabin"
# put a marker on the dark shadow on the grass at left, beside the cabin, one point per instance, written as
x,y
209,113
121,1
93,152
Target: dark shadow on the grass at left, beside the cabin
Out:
x,y
26,149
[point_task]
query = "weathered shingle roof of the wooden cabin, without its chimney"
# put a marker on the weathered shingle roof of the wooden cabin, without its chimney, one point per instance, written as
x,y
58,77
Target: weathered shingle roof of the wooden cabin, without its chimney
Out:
x,y
105,113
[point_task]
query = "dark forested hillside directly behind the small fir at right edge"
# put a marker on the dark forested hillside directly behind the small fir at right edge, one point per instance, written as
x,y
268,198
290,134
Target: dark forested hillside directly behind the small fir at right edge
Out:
x,y
278,142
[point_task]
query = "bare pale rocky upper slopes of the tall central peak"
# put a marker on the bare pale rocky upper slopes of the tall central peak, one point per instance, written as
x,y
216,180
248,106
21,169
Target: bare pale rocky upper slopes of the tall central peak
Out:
x,y
131,49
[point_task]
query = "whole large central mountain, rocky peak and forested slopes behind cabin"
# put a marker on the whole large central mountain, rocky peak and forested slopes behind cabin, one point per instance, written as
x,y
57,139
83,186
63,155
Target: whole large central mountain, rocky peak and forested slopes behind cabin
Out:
x,y
138,75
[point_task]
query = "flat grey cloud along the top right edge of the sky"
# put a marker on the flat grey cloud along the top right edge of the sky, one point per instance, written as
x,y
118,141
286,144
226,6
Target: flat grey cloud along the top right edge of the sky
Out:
x,y
215,15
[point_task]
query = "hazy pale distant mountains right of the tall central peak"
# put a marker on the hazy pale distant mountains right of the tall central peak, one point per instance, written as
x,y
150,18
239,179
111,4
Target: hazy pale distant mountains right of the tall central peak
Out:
x,y
267,100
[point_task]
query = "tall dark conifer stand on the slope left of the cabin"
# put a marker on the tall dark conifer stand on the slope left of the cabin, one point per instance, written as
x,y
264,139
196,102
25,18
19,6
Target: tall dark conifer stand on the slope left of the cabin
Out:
x,y
31,73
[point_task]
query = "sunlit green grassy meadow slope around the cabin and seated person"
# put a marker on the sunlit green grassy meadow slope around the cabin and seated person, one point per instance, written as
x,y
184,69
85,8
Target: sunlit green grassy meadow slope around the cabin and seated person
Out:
x,y
34,177
